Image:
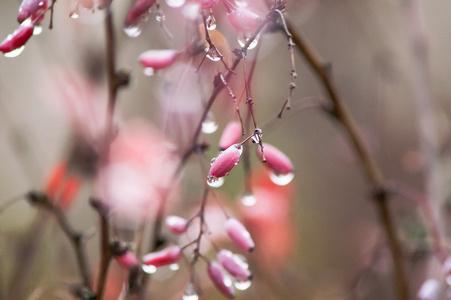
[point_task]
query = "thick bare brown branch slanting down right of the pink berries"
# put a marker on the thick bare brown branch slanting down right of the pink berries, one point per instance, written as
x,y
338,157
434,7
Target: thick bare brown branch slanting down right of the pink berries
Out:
x,y
372,171
